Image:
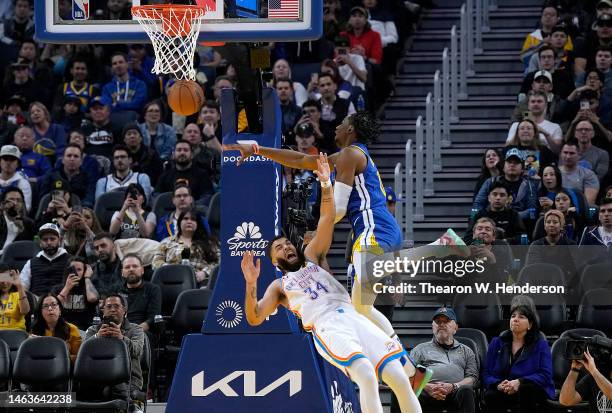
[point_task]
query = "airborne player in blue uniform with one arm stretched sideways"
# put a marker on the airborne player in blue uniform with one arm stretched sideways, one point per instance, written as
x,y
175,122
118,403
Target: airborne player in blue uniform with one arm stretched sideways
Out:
x,y
358,192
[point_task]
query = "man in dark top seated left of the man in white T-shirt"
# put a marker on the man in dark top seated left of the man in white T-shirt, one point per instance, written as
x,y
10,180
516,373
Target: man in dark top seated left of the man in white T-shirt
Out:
x,y
78,180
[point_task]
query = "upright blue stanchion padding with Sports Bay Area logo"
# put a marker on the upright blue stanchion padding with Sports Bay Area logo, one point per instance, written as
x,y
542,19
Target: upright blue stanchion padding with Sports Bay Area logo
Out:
x,y
250,218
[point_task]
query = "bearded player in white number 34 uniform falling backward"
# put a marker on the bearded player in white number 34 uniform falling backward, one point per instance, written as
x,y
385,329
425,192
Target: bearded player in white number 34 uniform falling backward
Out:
x,y
342,336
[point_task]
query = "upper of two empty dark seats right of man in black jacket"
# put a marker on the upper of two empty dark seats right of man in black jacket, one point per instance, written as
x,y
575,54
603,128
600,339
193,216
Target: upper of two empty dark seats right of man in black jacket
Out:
x,y
173,279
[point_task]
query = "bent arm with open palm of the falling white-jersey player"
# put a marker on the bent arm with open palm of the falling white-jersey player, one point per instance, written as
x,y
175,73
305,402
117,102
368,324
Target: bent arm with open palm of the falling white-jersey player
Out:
x,y
257,311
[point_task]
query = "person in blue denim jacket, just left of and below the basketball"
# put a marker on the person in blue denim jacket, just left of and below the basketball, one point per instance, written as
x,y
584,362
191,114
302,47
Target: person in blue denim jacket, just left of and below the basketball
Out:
x,y
155,133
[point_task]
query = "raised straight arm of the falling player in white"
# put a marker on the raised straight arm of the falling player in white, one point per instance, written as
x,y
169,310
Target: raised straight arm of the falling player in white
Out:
x,y
318,247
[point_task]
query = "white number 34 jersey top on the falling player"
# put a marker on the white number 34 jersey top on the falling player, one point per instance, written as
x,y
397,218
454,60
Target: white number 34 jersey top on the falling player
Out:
x,y
312,292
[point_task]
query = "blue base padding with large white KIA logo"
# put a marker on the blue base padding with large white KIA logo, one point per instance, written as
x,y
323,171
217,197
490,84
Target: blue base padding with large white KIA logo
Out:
x,y
257,373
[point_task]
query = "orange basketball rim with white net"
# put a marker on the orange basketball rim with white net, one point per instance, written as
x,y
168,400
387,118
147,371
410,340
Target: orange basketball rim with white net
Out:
x,y
173,30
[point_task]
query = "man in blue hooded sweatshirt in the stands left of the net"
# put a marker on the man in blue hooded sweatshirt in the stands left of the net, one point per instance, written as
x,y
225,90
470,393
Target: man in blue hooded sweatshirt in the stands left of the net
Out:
x,y
125,91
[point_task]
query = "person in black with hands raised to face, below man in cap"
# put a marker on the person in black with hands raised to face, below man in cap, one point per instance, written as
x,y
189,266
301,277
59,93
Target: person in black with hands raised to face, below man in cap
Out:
x,y
78,294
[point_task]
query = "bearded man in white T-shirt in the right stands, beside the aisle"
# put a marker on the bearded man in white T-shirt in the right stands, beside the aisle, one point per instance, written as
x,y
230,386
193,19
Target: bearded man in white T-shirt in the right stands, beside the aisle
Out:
x,y
550,133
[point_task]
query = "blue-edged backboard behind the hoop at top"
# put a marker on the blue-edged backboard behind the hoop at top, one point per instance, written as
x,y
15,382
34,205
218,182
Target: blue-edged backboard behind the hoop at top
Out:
x,y
76,21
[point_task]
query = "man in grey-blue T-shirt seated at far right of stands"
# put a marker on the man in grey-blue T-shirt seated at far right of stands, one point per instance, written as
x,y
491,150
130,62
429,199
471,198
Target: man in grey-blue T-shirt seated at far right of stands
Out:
x,y
576,176
